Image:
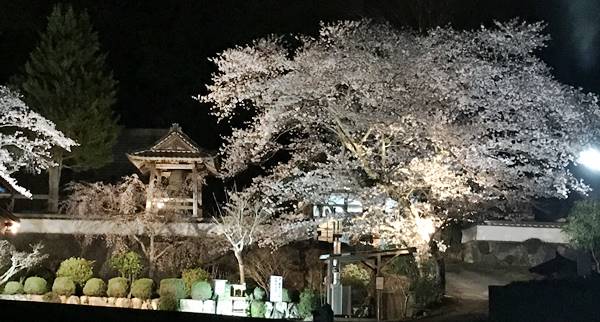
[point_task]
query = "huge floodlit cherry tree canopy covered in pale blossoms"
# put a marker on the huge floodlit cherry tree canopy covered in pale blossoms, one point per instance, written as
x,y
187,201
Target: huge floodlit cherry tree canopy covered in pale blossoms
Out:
x,y
422,129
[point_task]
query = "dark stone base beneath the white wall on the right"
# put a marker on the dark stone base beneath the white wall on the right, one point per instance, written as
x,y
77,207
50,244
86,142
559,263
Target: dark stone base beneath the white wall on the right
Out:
x,y
528,253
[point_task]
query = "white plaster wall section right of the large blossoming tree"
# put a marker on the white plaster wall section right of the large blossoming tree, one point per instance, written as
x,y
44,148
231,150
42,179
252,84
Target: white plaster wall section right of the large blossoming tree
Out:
x,y
513,234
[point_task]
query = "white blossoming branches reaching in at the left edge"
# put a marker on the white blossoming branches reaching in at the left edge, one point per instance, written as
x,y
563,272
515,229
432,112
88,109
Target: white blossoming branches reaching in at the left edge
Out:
x,y
26,139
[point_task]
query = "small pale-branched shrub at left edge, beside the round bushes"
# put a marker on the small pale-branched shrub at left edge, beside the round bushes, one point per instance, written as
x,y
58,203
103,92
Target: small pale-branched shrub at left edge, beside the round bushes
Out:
x,y
12,261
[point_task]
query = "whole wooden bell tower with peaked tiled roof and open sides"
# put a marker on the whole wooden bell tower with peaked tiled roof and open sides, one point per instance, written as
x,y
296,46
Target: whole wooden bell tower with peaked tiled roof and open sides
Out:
x,y
177,167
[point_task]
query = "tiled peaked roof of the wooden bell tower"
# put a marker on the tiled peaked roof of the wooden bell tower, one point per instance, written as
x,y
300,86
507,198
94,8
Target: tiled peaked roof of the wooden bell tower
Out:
x,y
173,148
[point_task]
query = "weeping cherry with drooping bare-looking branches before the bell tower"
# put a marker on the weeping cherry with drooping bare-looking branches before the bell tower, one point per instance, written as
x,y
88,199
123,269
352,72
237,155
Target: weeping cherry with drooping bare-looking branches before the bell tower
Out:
x,y
124,203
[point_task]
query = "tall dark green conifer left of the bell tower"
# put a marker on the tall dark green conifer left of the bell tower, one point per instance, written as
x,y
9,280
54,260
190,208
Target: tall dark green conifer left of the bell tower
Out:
x,y
66,80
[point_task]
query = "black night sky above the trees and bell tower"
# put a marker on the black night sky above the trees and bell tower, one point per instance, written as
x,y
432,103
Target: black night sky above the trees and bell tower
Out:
x,y
158,50
